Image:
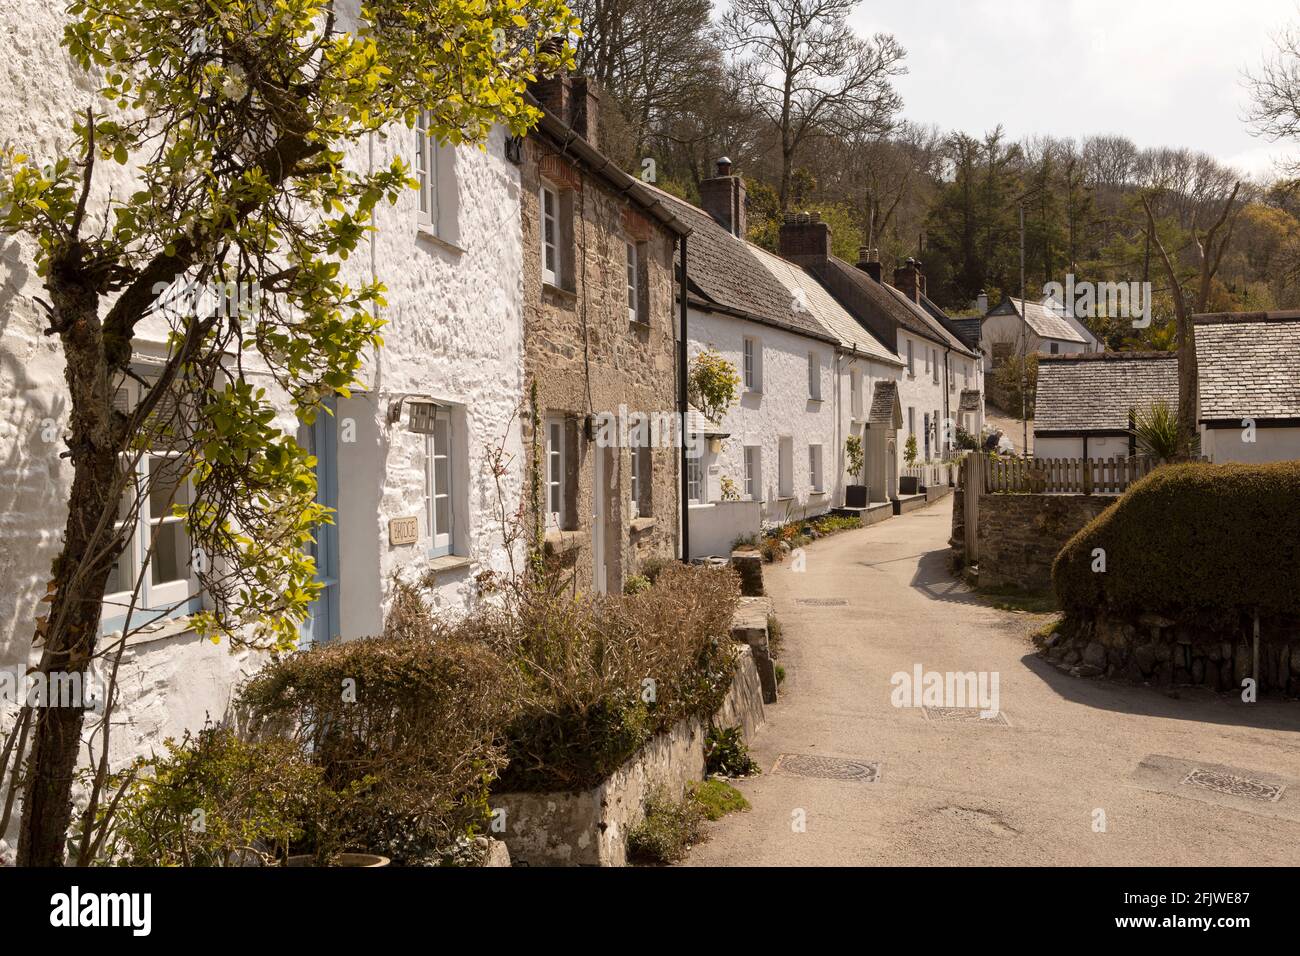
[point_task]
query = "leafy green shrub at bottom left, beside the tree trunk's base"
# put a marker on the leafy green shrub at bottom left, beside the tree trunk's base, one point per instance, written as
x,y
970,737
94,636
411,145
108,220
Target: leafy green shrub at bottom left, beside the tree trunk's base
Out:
x,y
214,801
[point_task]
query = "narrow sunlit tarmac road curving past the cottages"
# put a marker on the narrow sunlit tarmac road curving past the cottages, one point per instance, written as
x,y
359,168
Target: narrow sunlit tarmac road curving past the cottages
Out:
x,y
1084,772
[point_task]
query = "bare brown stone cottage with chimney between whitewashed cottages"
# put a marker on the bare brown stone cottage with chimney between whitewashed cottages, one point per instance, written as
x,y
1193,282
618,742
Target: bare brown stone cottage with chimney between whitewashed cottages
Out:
x,y
601,348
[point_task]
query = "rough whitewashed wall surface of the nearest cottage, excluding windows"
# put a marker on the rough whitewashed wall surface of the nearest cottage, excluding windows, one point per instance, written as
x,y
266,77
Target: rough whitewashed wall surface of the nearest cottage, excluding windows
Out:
x,y
454,334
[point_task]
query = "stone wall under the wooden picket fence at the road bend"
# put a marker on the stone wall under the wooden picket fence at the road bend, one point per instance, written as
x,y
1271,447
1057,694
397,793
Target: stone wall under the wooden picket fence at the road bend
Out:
x,y
1020,535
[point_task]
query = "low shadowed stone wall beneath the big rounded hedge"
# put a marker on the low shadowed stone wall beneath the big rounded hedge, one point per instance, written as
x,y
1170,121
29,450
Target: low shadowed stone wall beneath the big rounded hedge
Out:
x,y
1152,650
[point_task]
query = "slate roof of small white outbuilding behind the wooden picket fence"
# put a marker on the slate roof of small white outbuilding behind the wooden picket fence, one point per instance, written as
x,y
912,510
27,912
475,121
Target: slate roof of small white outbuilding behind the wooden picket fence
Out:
x,y
1094,392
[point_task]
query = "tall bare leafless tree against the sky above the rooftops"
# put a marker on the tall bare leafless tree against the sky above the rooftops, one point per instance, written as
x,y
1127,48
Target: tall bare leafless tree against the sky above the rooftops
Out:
x,y
807,72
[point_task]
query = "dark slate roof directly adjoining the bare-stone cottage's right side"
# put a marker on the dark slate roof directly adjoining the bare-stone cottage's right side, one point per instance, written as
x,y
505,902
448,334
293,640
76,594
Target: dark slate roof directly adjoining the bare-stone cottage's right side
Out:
x,y
727,272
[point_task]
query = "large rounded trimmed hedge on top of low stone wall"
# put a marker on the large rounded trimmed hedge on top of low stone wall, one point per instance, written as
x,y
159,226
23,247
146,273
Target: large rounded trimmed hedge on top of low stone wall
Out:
x,y
1191,542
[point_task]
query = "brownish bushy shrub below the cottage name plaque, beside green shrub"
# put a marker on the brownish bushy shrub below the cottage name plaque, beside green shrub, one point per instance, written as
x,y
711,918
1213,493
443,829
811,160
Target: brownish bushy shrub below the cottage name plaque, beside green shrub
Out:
x,y
413,721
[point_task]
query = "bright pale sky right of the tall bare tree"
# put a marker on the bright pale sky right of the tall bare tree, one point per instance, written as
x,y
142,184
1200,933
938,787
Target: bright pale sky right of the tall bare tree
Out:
x,y
1160,72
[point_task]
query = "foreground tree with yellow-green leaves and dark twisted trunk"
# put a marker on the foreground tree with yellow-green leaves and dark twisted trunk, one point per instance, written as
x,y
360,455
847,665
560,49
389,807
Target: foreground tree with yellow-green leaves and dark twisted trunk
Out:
x,y
239,118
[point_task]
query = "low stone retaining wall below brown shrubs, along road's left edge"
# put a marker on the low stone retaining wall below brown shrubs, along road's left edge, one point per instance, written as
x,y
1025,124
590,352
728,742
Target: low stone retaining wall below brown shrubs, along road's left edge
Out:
x,y
591,828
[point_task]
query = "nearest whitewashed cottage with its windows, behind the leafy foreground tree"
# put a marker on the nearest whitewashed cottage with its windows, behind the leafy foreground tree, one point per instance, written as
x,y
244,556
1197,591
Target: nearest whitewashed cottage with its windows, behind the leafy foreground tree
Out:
x,y
413,503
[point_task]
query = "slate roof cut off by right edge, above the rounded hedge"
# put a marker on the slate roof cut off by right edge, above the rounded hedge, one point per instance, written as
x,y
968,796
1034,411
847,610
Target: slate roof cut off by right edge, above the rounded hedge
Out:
x,y
1249,366
